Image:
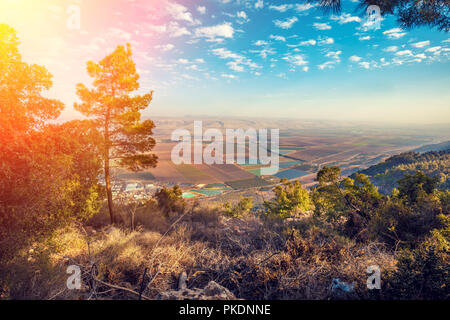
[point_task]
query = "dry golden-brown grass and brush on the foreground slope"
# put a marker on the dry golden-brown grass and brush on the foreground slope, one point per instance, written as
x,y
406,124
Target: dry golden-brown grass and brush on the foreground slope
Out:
x,y
255,259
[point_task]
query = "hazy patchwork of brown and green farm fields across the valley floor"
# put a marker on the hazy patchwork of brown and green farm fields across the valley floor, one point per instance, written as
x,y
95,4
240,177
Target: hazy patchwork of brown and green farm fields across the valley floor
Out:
x,y
305,147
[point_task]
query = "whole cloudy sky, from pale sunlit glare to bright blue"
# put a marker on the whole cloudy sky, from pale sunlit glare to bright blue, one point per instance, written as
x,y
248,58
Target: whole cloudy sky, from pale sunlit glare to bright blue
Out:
x,y
244,58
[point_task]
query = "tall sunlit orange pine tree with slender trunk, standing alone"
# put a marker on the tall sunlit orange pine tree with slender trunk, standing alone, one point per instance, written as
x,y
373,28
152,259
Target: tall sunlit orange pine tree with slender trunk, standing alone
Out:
x,y
116,113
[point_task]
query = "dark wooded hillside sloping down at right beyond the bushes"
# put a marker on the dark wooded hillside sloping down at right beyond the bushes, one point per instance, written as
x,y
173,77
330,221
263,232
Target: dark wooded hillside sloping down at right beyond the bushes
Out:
x,y
386,174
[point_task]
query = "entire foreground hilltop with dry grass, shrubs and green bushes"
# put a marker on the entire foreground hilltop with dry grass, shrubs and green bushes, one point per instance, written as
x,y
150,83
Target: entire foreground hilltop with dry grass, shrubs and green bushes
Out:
x,y
302,245
